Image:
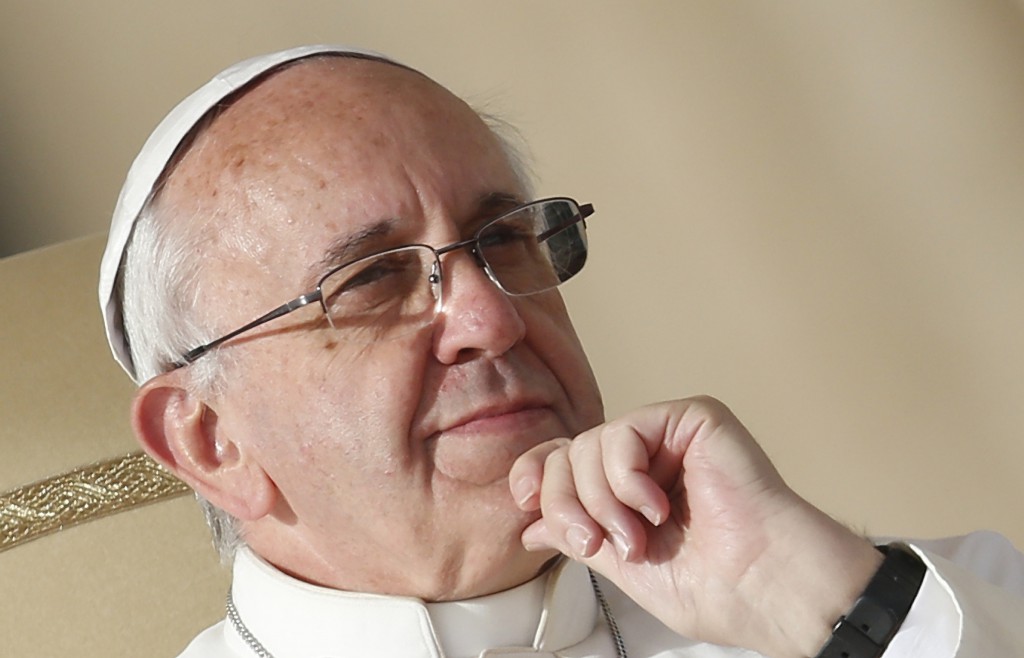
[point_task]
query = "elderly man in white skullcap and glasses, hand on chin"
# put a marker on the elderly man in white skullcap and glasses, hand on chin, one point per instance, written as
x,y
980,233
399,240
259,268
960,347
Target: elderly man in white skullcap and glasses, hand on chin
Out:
x,y
406,452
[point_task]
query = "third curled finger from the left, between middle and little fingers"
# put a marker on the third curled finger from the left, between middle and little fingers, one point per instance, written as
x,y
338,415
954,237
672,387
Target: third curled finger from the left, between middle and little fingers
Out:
x,y
618,522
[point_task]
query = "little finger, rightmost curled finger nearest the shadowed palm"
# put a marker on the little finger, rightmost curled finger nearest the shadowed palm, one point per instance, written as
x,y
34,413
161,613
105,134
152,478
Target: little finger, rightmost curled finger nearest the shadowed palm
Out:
x,y
626,462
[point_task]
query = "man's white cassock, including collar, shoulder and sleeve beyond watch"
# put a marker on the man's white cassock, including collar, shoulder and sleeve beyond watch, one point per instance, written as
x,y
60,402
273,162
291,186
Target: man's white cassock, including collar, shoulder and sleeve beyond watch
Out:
x,y
970,606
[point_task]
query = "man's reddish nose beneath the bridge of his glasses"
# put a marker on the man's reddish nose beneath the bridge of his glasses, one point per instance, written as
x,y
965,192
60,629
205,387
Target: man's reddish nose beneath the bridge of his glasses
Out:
x,y
478,319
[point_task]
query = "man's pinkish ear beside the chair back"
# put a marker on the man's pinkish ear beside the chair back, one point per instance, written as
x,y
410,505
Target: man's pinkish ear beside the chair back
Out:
x,y
183,433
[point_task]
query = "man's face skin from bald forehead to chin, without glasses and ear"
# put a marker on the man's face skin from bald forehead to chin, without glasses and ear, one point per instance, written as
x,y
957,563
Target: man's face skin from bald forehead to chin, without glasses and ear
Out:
x,y
390,461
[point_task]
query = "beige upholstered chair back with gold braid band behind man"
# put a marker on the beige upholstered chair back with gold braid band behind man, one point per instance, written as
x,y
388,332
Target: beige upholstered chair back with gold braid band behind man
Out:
x,y
123,564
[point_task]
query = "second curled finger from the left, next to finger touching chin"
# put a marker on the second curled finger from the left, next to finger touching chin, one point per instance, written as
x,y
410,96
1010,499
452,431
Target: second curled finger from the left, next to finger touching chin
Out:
x,y
572,530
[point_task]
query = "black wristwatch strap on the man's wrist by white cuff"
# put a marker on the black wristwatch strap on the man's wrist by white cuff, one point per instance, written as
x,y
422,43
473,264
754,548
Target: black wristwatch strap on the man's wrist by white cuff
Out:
x,y
873,622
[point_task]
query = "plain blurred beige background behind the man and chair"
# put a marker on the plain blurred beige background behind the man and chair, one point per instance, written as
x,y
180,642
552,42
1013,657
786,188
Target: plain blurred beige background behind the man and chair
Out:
x,y
812,210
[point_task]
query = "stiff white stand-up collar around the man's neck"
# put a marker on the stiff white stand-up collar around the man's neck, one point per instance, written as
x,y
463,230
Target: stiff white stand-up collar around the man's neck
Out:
x,y
294,620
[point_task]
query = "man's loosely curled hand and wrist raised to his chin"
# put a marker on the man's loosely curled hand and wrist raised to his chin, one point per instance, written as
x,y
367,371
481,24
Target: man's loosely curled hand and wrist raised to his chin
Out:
x,y
678,506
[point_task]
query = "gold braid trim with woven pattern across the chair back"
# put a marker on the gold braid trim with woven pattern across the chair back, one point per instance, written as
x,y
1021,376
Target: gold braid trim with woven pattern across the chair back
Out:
x,y
83,495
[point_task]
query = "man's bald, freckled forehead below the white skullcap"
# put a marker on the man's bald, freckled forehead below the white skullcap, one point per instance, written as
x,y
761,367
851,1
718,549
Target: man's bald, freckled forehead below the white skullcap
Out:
x,y
329,146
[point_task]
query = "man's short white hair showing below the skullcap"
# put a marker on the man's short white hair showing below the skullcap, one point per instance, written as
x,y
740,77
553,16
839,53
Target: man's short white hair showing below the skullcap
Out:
x,y
166,313
